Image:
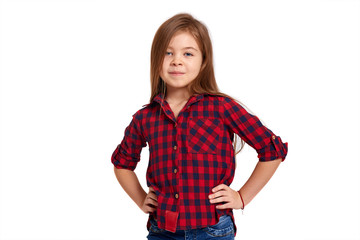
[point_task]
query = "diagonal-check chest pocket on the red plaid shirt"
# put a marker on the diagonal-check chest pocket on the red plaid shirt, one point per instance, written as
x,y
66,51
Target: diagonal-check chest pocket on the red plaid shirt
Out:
x,y
203,135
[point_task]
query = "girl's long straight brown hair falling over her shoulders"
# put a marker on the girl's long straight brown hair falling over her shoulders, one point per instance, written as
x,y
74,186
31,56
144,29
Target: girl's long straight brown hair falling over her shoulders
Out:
x,y
205,81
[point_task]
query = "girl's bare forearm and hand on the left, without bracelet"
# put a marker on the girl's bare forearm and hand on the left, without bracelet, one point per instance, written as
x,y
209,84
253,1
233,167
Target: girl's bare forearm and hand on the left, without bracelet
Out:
x,y
130,183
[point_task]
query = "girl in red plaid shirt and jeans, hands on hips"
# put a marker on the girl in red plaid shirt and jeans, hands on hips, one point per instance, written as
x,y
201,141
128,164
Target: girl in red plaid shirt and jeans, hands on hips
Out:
x,y
191,129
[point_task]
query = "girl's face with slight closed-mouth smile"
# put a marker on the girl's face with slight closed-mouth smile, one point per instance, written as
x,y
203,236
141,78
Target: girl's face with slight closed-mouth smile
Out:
x,y
182,61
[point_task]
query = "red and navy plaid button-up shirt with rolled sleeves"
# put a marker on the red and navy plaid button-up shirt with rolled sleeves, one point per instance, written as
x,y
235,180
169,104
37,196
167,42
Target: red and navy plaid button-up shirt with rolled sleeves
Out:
x,y
192,154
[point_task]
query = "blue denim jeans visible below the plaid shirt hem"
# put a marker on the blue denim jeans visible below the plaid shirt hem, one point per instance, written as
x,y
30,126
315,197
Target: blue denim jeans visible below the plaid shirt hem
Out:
x,y
223,230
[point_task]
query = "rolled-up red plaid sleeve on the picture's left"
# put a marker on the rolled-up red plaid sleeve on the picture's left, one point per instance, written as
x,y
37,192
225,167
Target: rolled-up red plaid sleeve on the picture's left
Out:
x,y
127,153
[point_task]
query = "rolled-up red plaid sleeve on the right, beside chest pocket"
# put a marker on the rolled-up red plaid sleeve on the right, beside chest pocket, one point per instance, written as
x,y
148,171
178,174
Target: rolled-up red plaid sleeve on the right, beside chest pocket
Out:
x,y
253,132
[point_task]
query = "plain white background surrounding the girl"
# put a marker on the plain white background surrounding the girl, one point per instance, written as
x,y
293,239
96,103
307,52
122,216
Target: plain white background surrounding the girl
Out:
x,y
74,72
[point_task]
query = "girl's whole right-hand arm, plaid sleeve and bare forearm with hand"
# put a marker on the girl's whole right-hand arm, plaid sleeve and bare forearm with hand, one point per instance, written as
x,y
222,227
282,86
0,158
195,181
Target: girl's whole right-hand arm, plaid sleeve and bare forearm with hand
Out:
x,y
271,152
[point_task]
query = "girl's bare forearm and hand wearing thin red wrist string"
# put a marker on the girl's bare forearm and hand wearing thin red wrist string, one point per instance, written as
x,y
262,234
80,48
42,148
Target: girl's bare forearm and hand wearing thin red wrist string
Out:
x,y
258,179
